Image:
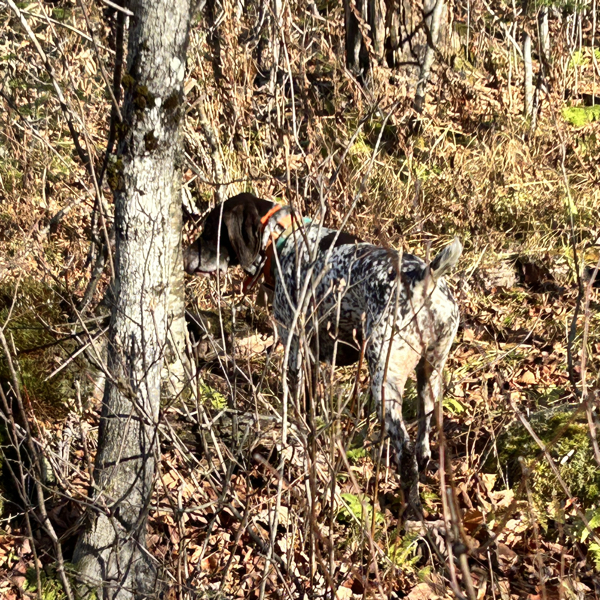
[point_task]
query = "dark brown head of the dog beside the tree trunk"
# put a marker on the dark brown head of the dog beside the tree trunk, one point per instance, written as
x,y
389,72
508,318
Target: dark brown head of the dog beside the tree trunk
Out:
x,y
231,236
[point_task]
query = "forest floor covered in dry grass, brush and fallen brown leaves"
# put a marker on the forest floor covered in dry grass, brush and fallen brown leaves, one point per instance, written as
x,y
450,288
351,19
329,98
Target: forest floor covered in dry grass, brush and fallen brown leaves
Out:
x,y
249,504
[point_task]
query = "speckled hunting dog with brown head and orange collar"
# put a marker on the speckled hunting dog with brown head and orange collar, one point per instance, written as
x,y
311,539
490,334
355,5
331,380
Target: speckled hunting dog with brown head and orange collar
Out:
x,y
402,321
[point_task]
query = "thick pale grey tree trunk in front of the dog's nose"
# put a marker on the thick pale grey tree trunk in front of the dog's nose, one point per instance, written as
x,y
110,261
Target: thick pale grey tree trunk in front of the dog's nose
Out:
x,y
111,555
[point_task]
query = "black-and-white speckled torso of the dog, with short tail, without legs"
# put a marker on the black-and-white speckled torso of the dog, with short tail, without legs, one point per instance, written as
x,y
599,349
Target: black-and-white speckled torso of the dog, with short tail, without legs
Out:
x,y
355,287
